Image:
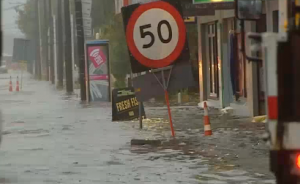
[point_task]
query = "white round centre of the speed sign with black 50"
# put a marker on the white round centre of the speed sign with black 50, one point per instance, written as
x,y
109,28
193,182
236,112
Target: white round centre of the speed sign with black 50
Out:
x,y
156,34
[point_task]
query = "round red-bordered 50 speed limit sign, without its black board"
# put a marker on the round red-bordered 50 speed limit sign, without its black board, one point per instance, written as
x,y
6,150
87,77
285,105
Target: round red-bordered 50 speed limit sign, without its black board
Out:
x,y
156,34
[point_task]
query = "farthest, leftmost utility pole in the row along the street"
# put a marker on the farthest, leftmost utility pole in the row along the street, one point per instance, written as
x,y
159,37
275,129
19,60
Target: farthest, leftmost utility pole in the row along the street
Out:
x,y
37,42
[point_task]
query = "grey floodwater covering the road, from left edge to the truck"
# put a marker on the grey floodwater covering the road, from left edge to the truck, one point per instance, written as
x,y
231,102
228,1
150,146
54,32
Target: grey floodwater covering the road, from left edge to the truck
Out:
x,y
52,138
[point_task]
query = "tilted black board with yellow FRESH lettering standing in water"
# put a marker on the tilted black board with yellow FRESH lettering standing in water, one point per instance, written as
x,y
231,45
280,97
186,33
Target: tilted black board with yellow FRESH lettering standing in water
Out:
x,y
125,105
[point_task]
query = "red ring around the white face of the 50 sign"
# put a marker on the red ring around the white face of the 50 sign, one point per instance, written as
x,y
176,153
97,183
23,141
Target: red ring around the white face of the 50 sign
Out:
x,y
181,31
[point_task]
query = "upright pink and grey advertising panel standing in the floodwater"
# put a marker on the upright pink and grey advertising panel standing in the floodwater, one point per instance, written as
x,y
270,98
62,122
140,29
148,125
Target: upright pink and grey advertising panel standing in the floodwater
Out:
x,y
97,57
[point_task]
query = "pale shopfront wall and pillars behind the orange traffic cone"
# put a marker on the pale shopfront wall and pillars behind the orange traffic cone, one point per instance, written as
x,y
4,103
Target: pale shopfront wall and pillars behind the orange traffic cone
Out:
x,y
249,105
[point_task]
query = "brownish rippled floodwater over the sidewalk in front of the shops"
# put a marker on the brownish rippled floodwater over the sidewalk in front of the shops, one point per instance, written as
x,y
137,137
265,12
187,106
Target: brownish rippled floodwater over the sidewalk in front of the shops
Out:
x,y
236,142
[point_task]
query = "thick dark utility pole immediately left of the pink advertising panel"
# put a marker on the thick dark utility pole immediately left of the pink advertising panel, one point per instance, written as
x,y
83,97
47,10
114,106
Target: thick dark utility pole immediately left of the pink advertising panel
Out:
x,y
80,47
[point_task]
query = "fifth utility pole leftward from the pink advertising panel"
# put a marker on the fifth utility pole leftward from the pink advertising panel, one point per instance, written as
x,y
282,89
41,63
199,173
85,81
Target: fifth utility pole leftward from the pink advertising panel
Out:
x,y
45,39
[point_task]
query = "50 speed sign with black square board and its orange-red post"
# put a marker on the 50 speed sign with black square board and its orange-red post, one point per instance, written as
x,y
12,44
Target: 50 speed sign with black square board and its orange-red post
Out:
x,y
156,39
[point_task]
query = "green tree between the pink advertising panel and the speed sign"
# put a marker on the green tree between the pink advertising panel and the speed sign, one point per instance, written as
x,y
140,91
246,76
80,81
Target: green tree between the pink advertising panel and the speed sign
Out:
x,y
111,25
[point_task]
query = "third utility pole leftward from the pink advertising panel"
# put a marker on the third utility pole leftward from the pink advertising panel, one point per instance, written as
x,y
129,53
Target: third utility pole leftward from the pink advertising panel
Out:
x,y
59,41
